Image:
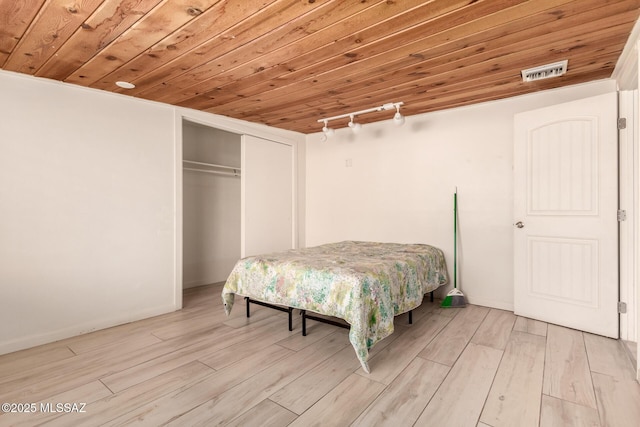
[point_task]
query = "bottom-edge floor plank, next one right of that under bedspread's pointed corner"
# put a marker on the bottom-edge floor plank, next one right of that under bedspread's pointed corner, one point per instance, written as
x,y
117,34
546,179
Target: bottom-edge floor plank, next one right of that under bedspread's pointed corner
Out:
x,y
406,397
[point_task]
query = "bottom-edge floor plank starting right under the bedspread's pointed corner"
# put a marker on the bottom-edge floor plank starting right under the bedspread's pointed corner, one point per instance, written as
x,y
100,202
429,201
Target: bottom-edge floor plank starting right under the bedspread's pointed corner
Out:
x,y
341,405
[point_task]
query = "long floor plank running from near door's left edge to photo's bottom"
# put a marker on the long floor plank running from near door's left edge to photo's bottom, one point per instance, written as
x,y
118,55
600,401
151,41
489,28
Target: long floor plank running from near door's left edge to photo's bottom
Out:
x,y
514,398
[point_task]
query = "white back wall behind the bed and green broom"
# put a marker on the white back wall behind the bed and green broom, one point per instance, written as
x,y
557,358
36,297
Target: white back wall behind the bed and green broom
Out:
x,y
400,186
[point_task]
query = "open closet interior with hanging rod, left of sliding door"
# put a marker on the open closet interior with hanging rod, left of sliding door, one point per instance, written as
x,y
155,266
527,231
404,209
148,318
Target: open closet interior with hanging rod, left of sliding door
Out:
x,y
211,204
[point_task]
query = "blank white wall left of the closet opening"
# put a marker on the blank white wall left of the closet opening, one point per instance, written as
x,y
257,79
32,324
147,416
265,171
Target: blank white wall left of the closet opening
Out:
x,y
86,210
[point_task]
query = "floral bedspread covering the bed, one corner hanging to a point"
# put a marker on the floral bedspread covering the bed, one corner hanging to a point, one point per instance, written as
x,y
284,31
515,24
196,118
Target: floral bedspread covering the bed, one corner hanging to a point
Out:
x,y
364,283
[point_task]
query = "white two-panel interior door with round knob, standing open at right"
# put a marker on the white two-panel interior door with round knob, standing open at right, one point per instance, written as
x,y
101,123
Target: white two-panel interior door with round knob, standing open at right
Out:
x,y
565,227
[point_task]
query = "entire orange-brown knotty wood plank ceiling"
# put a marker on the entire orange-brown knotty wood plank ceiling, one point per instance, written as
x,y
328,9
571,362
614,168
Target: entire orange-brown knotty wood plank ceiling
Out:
x,y
288,63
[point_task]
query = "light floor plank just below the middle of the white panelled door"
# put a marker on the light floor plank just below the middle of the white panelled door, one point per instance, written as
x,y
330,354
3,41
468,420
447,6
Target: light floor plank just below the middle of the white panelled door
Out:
x,y
566,373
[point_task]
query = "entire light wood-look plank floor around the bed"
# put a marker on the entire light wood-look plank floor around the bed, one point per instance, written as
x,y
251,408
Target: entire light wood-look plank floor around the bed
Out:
x,y
472,366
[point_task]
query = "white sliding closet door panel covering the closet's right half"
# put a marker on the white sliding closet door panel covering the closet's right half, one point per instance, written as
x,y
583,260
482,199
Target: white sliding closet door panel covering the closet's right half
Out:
x,y
267,196
